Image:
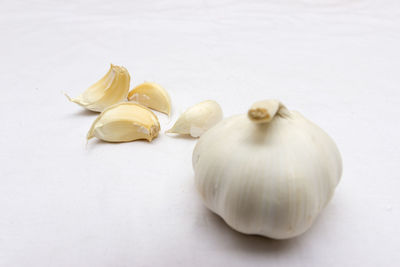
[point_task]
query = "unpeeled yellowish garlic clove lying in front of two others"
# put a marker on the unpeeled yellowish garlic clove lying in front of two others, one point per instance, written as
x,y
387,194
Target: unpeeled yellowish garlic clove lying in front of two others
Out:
x,y
125,122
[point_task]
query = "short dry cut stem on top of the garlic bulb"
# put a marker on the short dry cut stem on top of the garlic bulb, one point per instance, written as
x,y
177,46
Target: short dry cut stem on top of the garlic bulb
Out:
x,y
264,111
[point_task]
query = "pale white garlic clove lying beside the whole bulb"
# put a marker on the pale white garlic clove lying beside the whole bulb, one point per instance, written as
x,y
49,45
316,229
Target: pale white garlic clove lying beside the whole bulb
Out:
x,y
198,119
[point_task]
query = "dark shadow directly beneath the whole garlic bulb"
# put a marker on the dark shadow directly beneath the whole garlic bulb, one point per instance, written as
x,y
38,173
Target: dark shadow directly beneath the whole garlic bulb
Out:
x,y
251,243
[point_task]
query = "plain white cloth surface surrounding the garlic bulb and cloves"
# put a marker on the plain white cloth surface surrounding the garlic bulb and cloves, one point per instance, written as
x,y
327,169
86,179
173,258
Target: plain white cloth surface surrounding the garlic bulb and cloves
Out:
x,y
134,204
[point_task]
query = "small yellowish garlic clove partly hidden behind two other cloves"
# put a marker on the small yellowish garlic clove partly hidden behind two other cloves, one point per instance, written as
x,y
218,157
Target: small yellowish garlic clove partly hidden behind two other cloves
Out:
x,y
152,96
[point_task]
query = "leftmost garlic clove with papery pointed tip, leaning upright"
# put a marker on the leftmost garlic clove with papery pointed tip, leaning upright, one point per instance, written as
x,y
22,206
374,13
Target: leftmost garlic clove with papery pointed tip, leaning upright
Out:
x,y
111,89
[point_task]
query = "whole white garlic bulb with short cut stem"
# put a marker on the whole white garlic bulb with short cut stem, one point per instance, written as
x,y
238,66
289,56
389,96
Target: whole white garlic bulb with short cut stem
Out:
x,y
269,172
